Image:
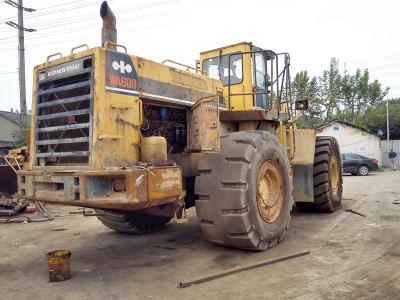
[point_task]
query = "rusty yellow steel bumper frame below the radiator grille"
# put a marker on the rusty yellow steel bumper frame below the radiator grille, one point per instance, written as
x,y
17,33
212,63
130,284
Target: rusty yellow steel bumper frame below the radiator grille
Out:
x,y
144,187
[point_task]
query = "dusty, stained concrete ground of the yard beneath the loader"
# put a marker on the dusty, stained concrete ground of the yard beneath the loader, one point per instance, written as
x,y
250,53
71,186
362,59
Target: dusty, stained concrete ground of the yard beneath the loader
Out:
x,y
352,257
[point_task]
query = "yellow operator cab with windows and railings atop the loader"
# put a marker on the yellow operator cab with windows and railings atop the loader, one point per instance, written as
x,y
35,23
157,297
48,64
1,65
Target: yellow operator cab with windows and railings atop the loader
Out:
x,y
252,77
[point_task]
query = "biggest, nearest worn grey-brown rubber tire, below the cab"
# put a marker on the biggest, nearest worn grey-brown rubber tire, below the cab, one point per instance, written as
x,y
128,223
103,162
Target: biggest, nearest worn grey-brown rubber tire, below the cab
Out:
x,y
226,188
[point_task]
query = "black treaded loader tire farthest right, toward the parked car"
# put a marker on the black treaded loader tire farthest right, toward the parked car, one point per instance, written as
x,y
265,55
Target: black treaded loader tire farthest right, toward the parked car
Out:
x,y
326,199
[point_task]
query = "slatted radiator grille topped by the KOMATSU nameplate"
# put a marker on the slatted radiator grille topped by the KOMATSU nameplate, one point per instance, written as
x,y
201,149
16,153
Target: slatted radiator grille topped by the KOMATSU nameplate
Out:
x,y
63,127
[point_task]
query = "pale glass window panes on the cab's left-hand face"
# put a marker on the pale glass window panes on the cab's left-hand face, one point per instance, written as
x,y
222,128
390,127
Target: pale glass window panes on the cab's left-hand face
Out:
x,y
218,68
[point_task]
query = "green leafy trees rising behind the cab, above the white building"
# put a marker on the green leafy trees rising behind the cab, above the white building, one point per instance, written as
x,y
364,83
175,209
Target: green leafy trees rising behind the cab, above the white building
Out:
x,y
333,96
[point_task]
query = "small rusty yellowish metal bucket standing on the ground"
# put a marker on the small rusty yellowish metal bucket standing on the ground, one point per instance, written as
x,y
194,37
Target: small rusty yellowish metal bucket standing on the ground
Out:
x,y
59,265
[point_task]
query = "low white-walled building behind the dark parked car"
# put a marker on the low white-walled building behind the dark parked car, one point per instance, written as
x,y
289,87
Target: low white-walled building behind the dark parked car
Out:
x,y
353,139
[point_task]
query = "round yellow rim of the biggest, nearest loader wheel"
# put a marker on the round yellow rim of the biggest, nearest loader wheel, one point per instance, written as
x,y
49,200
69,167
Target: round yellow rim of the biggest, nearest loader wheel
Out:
x,y
269,191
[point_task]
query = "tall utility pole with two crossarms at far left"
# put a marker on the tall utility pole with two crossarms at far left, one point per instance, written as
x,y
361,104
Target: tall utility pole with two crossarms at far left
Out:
x,y
21,54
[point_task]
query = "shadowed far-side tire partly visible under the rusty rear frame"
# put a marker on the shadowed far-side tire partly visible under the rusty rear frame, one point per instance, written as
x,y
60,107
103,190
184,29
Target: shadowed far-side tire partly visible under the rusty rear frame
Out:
x,y
131,222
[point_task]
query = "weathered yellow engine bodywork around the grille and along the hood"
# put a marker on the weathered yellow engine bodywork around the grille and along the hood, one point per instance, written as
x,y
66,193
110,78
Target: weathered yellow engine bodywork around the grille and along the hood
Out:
x,y
117,117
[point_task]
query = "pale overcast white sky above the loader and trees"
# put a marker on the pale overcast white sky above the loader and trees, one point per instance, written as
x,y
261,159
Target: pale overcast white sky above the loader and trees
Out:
x,y
359,33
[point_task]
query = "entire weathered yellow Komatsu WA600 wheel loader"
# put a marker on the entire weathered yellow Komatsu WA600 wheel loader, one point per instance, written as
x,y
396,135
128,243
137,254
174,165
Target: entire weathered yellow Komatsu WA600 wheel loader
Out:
x,y
139,141
